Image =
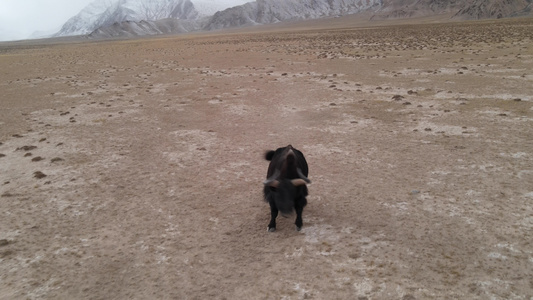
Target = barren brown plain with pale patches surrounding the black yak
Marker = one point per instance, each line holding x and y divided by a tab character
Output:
133	169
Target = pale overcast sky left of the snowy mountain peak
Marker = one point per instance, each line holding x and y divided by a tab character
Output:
21	18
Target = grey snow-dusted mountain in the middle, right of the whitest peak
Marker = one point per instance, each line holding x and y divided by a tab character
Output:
273	11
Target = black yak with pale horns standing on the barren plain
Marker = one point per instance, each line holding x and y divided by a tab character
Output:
285	188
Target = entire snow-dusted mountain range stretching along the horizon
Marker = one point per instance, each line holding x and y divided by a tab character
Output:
122	19
